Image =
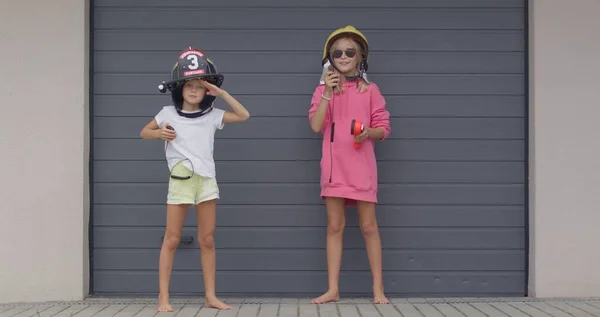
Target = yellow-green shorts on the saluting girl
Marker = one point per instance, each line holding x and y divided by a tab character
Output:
191	191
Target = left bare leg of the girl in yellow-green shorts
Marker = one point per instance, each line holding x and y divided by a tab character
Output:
175	218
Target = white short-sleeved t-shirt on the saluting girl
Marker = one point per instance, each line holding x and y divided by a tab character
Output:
194	140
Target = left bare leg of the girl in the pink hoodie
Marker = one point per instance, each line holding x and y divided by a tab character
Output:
336	221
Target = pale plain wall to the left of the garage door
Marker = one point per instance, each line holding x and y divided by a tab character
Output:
44	146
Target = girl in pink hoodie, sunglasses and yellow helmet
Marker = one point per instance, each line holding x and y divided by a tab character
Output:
349	173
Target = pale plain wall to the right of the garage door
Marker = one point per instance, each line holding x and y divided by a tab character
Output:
565	148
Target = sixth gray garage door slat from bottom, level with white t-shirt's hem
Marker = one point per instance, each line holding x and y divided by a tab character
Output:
309	171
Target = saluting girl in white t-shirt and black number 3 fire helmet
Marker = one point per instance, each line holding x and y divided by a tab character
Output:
188	128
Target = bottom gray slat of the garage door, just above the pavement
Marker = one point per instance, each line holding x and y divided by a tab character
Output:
411	284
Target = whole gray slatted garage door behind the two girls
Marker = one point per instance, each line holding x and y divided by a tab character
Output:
452	213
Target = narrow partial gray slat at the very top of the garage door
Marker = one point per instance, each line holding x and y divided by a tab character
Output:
337	4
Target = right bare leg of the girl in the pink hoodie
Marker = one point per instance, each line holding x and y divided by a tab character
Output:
370	231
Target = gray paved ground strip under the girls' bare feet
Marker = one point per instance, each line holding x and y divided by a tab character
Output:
284	307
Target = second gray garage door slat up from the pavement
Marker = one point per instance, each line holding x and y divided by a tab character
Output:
315	260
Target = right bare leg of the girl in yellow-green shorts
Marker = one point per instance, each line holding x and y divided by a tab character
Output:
206	215
